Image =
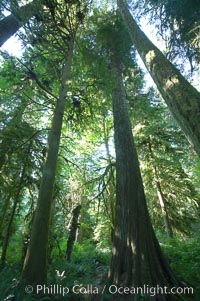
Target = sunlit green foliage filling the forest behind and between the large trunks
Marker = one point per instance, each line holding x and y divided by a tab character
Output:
85	173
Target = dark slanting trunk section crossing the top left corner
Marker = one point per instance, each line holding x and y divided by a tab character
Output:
12	23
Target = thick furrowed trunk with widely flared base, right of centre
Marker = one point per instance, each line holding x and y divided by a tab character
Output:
137	259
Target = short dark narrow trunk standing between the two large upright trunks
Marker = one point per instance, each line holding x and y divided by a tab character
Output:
73	231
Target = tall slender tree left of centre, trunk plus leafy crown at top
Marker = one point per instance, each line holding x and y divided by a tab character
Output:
35	265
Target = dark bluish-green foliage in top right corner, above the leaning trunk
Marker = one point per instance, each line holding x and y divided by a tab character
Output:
181	21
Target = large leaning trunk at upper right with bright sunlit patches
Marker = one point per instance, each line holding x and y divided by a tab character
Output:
182	99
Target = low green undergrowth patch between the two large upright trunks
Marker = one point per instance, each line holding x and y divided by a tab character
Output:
82	267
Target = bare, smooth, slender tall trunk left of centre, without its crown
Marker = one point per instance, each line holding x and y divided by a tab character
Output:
35	264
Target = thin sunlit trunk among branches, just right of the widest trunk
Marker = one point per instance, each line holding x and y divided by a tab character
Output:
160	194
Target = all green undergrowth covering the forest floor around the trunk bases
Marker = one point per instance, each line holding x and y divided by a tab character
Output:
183	255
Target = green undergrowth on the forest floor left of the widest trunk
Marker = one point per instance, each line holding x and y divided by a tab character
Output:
82	270
